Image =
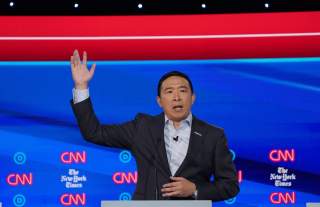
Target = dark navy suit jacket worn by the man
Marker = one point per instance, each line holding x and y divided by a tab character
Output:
207	154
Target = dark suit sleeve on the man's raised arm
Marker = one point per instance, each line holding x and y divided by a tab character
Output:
120	136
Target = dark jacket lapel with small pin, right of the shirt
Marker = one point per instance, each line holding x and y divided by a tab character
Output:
195	144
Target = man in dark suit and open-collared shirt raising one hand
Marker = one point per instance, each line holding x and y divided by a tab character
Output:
176	153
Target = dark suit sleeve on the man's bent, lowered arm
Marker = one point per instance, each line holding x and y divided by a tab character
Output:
225	184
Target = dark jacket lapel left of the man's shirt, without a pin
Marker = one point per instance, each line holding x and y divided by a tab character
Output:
157	131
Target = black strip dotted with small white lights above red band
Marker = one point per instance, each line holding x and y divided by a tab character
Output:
130	7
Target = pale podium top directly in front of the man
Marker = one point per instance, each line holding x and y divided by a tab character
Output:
159	203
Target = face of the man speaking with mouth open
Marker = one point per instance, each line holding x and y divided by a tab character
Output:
176	98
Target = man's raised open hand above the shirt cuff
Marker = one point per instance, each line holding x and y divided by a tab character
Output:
80	73
